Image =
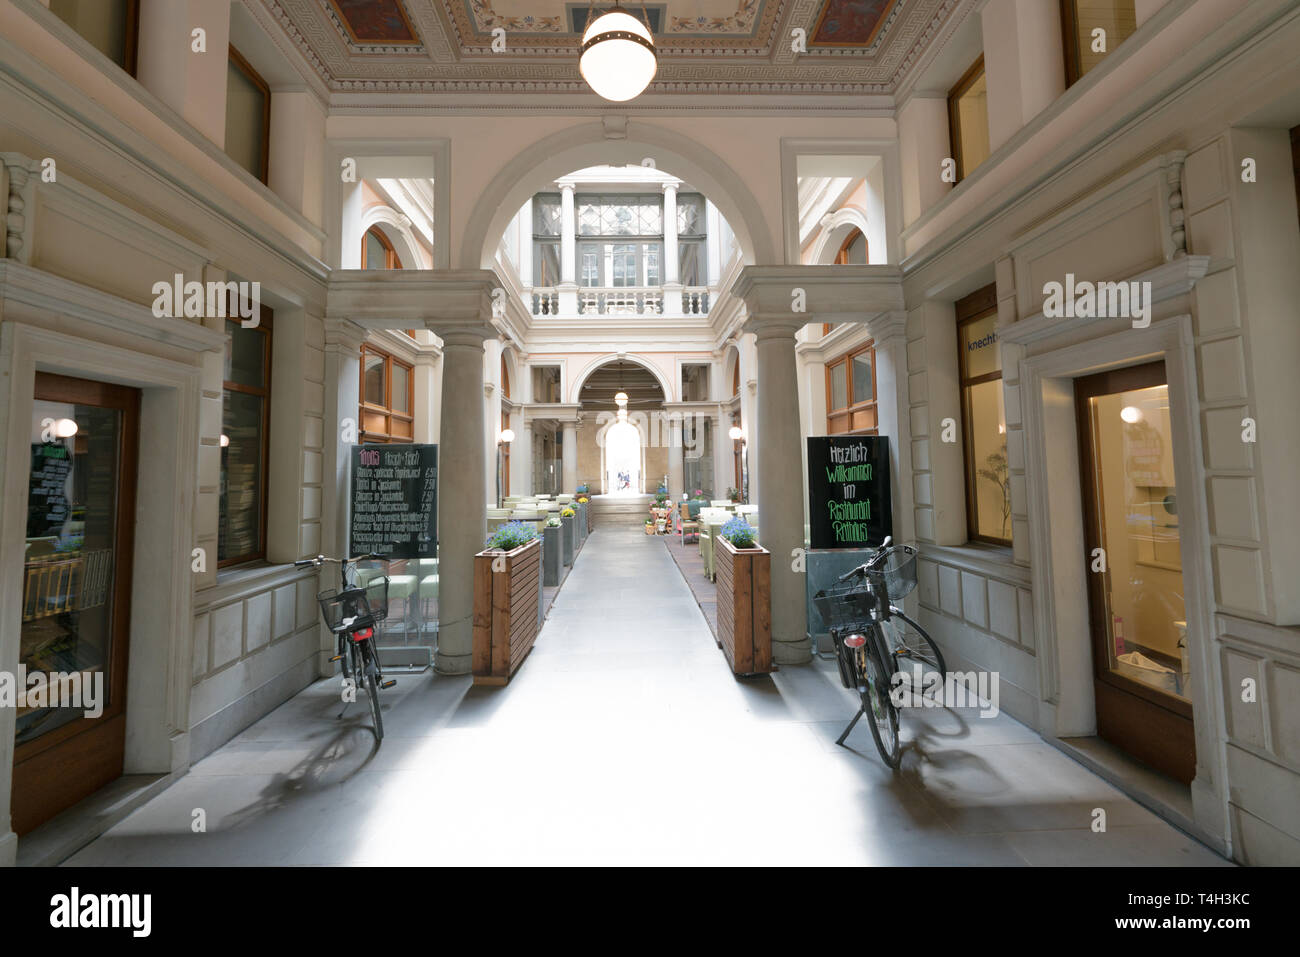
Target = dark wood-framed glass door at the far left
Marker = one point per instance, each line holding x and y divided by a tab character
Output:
76	596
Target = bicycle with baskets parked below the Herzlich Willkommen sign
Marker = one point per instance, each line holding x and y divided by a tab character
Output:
872	638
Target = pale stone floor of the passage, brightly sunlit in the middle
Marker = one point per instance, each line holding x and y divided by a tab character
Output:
625	739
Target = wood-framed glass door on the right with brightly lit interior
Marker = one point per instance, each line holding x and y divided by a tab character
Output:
1139	631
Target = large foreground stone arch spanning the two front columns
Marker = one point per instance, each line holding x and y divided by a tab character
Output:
587	146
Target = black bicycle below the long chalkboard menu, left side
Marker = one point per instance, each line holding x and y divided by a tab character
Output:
353	613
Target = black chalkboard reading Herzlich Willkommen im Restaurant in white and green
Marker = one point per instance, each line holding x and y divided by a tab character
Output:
848	492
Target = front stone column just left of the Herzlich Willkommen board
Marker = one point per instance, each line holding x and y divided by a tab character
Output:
779	466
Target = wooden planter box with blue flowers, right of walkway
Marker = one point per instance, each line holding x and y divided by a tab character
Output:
744	607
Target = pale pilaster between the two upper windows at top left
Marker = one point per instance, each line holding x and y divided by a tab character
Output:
192	84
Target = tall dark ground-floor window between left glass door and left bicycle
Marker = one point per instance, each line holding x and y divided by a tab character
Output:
245	443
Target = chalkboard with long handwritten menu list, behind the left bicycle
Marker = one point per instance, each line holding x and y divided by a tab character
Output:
395	501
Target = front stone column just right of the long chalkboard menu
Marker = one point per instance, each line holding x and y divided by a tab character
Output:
462	510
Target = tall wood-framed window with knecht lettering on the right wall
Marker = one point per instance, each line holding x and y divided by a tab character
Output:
989	492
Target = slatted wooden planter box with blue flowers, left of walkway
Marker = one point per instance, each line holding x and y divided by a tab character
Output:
508	612
